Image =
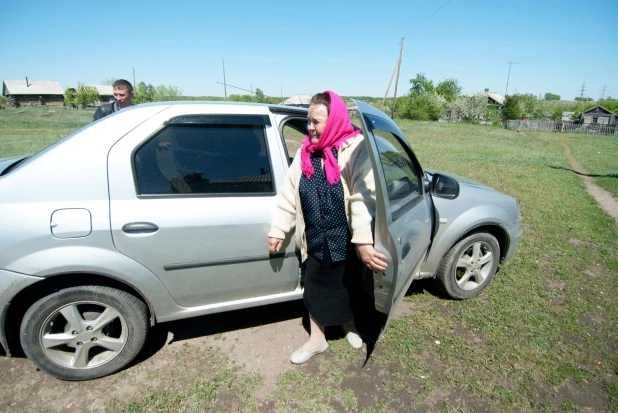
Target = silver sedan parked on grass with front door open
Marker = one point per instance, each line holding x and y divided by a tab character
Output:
161	212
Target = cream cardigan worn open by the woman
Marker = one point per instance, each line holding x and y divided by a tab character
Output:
358	190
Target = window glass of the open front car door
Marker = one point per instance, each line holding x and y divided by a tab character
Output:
402	173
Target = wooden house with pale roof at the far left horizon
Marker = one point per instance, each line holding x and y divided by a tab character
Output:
32	93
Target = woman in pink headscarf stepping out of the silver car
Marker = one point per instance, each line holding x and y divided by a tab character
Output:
328	196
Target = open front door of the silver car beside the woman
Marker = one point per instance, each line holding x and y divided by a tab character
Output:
404	214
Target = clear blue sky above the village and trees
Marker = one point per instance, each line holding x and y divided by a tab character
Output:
289	47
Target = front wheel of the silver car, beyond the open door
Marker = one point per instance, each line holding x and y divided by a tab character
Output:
469	266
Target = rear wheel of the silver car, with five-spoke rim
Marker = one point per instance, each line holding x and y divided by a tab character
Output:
82	333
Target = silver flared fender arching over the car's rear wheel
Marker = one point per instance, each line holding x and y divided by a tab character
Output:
100	261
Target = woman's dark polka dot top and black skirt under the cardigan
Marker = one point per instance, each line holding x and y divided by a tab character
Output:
331	255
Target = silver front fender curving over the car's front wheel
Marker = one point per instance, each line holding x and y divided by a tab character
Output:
450	231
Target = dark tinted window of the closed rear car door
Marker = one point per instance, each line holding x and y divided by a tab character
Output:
192	158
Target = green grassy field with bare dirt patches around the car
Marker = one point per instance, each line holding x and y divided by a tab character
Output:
542	337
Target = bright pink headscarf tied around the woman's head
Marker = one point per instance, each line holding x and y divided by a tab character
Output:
338	129
